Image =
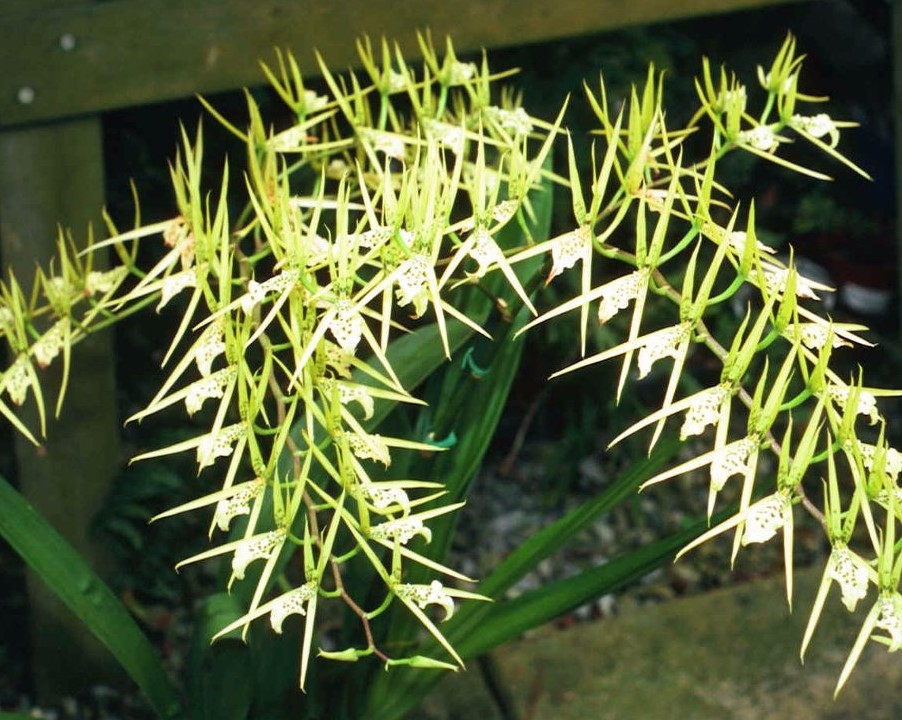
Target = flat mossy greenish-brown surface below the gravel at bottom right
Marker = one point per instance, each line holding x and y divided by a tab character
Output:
731	653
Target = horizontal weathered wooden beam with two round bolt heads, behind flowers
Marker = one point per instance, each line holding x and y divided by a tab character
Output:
85	58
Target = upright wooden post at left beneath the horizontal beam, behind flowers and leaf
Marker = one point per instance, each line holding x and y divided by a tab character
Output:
48	175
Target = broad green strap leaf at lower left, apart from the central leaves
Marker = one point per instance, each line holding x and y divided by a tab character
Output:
66	573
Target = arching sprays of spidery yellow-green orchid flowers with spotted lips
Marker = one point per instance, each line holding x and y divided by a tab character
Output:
387	196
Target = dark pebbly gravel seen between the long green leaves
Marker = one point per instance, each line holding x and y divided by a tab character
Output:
506	508
